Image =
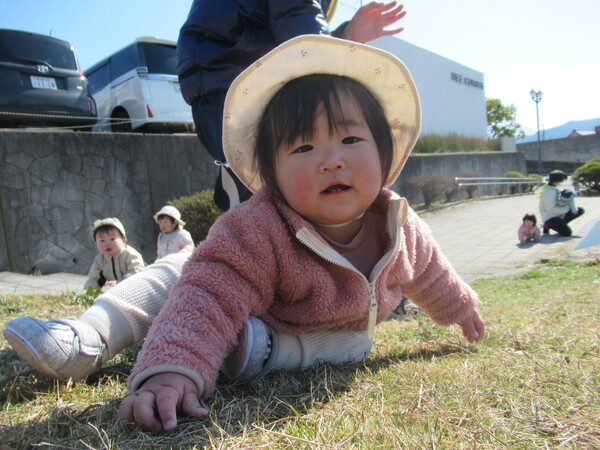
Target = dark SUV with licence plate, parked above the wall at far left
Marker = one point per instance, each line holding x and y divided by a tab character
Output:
41	83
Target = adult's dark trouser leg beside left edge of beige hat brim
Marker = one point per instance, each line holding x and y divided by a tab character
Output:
208	117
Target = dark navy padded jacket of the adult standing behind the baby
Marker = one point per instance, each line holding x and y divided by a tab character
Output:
221	38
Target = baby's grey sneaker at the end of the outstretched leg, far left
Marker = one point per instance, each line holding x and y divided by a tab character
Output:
66	348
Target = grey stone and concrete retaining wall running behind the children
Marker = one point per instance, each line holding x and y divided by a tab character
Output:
53	185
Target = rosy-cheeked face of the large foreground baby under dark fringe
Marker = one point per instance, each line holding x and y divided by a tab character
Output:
334	176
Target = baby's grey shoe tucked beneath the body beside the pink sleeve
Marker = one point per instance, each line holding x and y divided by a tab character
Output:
250	358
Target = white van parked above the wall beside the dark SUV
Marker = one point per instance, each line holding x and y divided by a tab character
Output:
137	89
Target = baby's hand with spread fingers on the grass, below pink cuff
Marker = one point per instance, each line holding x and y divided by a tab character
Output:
156	404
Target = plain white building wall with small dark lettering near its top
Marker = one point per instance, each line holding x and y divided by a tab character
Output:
452	95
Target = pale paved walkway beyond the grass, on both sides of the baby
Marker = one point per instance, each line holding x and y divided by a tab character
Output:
478	237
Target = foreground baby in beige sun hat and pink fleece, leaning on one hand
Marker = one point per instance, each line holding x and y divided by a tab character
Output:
304	270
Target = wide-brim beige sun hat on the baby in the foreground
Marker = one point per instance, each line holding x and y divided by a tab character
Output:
382	73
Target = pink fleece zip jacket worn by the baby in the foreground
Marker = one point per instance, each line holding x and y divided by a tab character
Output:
263	259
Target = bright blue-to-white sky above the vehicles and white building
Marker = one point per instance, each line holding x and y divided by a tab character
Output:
517	44
